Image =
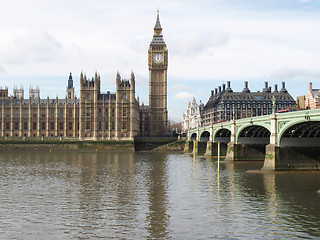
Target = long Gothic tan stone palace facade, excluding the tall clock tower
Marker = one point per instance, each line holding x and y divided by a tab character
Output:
93	116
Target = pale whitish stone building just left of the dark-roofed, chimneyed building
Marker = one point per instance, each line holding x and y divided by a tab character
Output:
192	118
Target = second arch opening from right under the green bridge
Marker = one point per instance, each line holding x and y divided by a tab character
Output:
253	134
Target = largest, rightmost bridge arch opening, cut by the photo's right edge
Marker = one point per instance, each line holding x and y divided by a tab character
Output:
301	133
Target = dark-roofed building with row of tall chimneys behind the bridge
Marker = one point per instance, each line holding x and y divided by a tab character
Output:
224	104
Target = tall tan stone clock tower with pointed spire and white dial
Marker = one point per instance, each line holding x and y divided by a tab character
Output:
158	65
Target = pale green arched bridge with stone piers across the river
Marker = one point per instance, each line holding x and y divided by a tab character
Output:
283	140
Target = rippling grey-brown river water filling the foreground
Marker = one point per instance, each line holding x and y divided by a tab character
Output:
151	195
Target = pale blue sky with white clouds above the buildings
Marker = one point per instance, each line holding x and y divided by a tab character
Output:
209	43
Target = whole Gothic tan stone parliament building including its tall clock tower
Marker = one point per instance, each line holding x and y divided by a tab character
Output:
94	115
